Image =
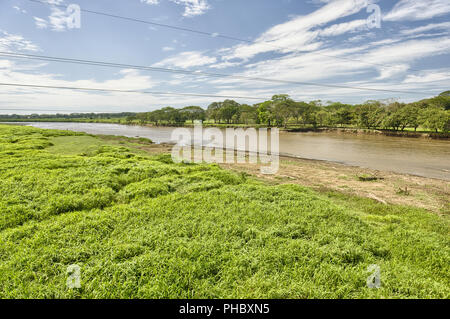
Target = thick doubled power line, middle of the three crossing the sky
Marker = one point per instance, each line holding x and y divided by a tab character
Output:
196	73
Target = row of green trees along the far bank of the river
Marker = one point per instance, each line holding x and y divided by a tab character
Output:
430	114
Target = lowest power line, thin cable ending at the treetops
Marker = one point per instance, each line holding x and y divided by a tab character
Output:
129	91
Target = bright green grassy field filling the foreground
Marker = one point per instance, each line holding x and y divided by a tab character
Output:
140	226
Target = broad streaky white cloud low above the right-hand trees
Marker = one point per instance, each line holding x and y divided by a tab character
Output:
321	66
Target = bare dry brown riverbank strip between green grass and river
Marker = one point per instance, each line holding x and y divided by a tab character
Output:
328	178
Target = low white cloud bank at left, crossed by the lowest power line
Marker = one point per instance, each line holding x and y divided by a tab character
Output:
72	101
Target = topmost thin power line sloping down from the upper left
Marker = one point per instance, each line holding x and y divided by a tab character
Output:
213	34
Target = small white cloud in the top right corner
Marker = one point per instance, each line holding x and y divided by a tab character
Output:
417	10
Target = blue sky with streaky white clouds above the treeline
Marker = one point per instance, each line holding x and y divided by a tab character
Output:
401	45
